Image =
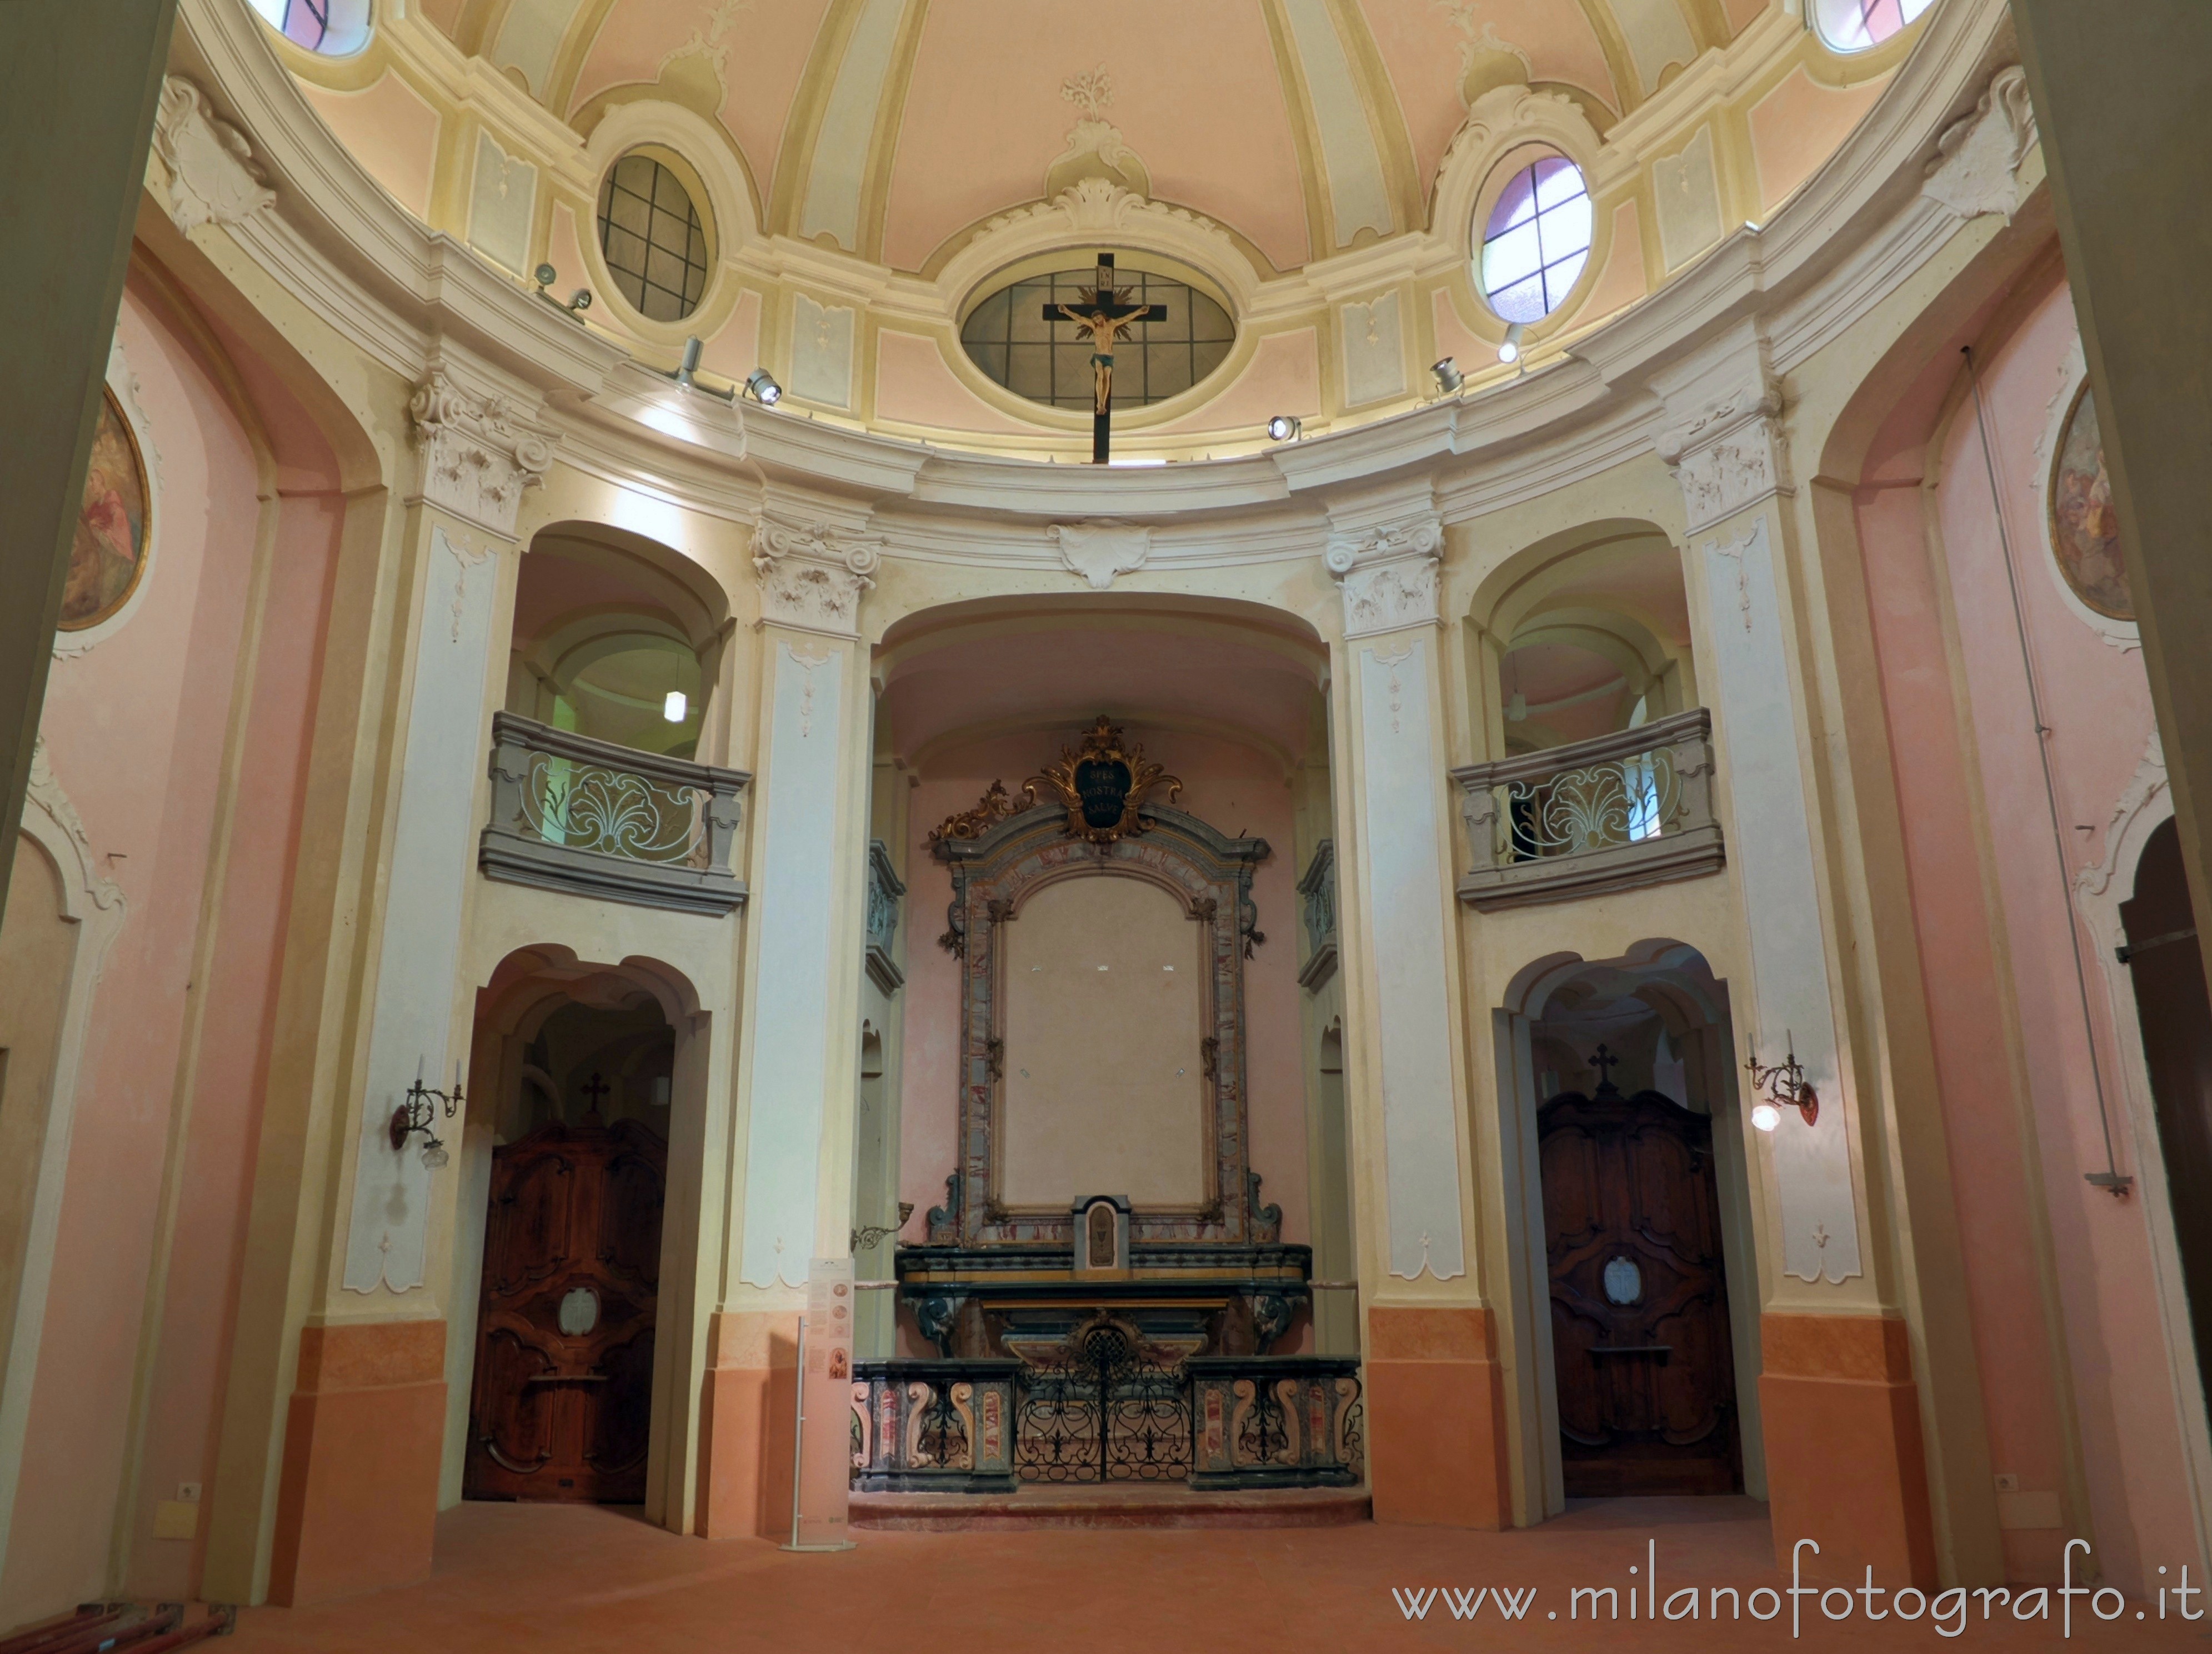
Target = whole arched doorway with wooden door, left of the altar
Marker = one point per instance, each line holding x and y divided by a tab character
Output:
570	1370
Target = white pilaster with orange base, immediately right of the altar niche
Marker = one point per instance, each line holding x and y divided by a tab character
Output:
1434	1390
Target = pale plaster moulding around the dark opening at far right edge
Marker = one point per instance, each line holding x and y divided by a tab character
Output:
2140	810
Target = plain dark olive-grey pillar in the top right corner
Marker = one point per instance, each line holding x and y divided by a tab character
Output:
2120	96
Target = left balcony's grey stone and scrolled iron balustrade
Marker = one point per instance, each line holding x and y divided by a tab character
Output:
625	826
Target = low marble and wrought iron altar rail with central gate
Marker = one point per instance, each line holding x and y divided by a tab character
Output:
1112	1412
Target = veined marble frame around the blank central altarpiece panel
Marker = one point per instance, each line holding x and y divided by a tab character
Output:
992	879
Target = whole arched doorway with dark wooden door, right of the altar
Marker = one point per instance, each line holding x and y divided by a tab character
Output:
1636	1228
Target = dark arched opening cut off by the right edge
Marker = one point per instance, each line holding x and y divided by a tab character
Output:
2167	972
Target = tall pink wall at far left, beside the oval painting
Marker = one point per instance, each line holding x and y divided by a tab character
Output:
136	733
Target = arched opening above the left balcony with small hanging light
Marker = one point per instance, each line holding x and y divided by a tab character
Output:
612	642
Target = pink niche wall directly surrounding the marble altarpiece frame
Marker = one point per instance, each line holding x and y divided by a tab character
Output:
1229	786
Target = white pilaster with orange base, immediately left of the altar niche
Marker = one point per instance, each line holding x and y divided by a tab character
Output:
797	1060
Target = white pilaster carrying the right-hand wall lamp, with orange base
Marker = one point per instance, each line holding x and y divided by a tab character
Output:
1839	1405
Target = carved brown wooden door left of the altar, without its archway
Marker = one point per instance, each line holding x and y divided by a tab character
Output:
563	1394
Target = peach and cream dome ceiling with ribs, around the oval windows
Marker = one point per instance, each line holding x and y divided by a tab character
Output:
868	167
